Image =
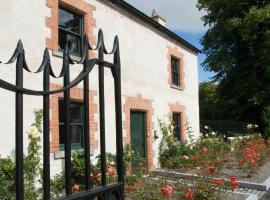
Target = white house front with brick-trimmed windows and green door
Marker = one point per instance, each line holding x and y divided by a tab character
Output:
159	72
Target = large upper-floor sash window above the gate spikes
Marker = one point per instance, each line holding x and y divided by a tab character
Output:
70	31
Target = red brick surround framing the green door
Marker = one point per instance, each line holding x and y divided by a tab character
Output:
145	105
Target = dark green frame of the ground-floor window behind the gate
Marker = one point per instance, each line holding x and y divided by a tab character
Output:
74	146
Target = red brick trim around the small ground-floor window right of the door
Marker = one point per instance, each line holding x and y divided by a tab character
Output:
180	109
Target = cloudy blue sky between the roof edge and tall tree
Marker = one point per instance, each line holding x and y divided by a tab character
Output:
183	18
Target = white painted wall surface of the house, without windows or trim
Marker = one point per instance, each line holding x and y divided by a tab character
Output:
144	68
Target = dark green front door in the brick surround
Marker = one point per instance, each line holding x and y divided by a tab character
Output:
137	127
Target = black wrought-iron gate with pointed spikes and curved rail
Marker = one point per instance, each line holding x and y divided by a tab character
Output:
115	190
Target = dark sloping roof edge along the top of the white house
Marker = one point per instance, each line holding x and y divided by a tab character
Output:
148	20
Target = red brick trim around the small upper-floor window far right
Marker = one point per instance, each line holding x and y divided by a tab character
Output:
173	52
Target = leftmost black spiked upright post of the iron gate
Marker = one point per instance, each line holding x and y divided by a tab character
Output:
19	127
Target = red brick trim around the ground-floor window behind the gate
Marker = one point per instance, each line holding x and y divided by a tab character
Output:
76	94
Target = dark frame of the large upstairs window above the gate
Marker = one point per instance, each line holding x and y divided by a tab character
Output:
80	35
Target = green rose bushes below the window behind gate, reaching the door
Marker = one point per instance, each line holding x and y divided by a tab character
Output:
78	171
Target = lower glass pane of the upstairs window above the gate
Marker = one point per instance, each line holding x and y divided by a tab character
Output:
74	42
